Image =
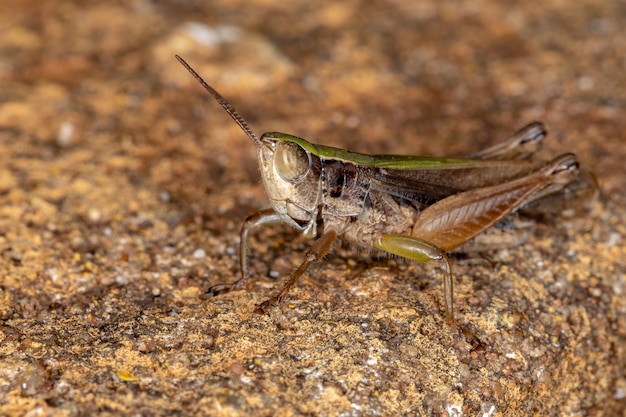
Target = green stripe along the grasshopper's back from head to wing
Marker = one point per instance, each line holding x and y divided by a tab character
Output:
376	161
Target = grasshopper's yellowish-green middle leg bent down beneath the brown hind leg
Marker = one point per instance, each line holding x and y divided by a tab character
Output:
419	250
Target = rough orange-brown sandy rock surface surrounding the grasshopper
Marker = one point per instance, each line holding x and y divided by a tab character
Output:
123	187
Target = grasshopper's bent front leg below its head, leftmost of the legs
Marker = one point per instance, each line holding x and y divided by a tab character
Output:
262	218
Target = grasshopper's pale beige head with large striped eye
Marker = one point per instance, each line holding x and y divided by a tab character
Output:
291	175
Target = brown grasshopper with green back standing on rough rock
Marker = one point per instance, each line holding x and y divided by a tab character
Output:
420	208
